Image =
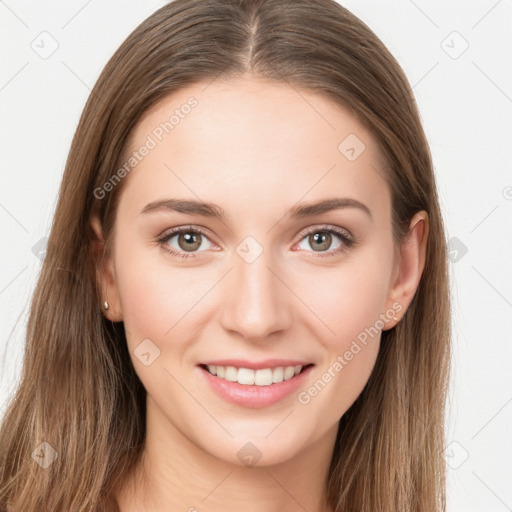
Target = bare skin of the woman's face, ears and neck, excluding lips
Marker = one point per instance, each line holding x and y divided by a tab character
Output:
256	148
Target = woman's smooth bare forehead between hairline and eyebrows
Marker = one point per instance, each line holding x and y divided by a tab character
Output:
249	143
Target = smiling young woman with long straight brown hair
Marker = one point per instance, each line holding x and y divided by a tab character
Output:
190	345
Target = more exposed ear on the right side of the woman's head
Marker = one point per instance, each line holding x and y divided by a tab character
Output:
408	268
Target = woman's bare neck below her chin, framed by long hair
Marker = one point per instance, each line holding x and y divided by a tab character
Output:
176	474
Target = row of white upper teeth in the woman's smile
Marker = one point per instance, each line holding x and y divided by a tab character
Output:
248	377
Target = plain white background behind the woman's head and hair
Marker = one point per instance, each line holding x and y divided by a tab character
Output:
465	100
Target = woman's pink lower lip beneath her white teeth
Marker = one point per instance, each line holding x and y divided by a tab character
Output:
254	396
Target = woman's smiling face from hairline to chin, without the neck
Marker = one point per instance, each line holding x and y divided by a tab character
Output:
283	301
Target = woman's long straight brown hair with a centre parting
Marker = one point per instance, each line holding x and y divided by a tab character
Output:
79	392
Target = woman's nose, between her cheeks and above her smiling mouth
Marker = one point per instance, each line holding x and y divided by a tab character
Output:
255	302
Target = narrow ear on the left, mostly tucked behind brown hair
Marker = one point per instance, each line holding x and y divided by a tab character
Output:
105	275
